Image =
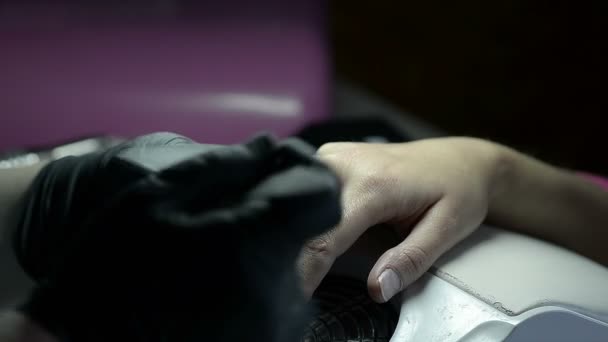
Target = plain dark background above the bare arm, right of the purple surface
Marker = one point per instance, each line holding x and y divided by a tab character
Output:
527	73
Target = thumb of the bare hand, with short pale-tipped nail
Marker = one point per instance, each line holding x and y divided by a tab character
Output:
401	265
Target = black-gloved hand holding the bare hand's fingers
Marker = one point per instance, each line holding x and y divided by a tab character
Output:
163	239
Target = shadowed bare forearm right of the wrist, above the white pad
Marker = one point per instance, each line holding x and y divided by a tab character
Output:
550	203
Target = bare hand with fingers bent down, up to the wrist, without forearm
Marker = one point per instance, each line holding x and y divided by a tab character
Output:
432	192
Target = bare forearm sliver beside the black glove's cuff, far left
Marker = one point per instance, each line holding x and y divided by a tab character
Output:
13	186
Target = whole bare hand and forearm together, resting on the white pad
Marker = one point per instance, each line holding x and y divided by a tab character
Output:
435	192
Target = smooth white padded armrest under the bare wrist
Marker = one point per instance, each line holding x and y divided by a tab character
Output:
516	273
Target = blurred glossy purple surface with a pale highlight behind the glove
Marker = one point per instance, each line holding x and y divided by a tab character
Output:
215	73
